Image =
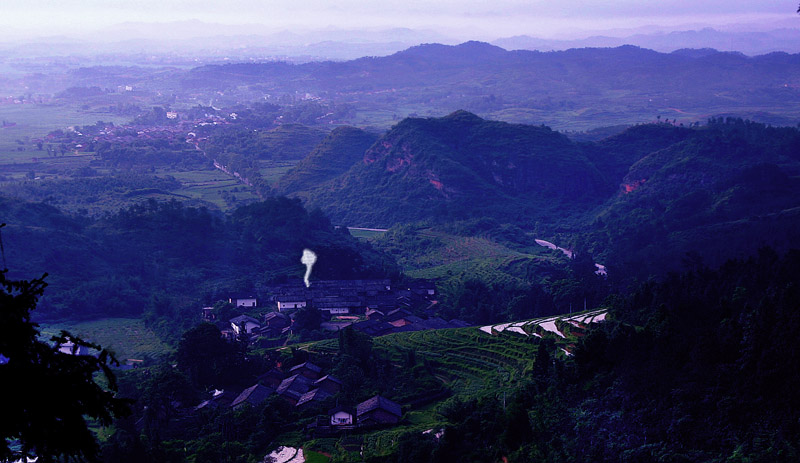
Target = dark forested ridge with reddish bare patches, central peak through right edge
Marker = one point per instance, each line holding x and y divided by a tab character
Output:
718	190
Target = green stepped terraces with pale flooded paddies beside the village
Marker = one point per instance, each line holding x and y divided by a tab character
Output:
472	363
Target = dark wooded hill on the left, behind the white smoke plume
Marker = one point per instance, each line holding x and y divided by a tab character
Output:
169	259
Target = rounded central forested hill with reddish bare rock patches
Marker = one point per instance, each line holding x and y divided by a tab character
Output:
461	166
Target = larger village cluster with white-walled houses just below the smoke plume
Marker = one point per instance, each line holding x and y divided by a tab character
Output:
375	307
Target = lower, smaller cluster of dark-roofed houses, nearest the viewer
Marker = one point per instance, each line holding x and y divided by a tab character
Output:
303	386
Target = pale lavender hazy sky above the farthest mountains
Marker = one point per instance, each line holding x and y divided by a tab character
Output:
481	18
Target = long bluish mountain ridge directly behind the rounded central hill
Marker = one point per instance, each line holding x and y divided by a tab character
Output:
577	88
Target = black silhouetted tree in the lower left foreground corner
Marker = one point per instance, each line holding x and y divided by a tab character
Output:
46	393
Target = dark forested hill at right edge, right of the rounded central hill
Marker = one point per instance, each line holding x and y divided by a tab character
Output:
731	187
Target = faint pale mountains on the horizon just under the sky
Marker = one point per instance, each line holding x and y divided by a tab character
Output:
255	41
